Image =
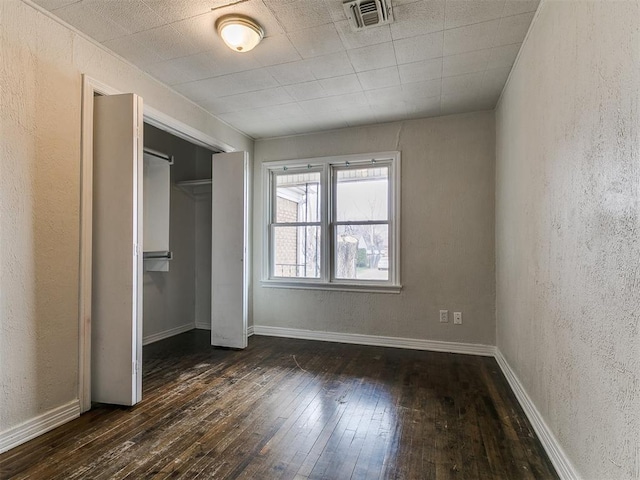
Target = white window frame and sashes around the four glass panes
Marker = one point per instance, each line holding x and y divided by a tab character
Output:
328	166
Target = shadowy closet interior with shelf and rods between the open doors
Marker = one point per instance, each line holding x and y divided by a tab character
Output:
177	235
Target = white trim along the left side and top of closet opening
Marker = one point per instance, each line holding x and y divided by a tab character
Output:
156	118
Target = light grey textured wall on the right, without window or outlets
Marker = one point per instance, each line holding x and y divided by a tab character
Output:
568	225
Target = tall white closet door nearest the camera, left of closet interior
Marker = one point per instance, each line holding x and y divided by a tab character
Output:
116	317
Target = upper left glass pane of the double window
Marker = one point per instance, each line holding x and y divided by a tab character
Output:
297	197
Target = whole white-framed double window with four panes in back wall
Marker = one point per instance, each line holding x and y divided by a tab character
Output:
333	222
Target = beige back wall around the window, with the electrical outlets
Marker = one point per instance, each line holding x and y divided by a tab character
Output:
447	245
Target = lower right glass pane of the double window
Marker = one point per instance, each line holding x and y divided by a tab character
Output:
362	252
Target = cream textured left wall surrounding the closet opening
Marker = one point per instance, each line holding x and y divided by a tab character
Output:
42	63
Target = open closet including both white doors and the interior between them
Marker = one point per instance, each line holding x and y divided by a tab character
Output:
185	268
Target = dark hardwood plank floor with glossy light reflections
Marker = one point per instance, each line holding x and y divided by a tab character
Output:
297	409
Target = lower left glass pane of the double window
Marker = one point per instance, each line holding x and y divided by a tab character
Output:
296	252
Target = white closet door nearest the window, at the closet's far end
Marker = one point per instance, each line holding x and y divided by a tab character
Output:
229	239
